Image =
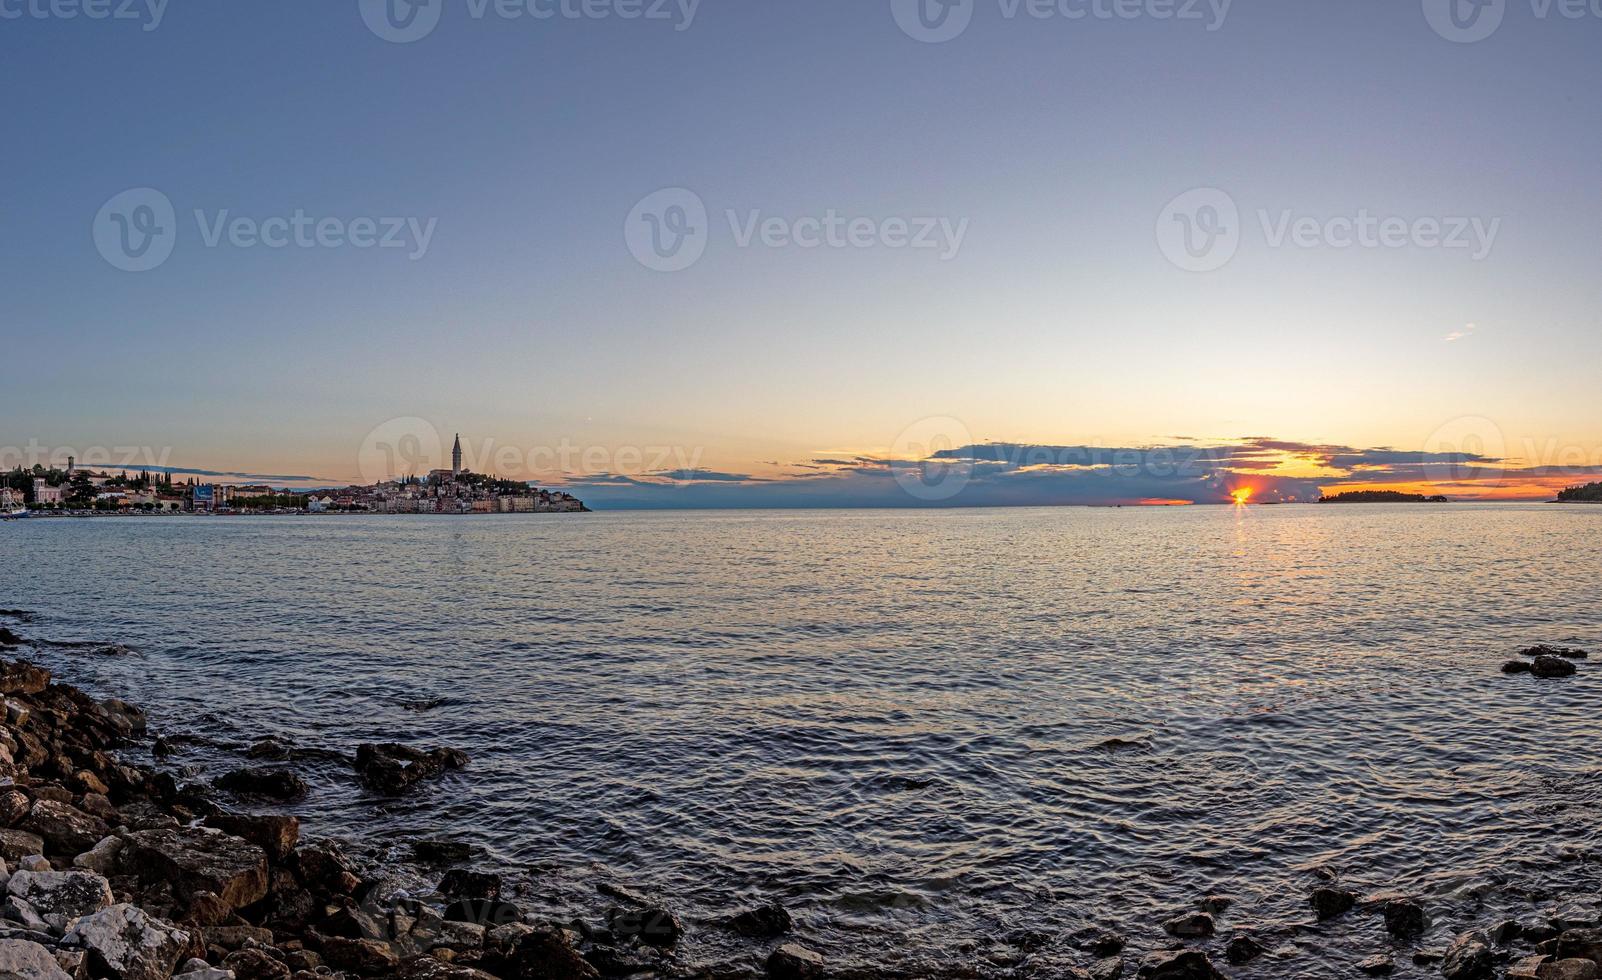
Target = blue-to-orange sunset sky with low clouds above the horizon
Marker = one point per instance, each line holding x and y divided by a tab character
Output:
824	254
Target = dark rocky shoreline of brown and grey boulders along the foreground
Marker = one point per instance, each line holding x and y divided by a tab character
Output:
115	869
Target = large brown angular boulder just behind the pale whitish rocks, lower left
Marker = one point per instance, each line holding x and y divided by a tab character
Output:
201	861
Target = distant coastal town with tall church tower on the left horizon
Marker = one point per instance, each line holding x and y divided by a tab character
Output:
78	492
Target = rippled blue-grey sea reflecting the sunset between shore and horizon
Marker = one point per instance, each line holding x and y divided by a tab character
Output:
943	739
